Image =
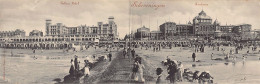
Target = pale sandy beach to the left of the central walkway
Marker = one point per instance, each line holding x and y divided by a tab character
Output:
41	67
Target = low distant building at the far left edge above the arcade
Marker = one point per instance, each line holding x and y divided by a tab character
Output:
16	33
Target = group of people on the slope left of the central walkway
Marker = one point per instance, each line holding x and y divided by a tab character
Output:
79	71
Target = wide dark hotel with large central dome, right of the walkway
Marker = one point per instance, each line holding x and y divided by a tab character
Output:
202	26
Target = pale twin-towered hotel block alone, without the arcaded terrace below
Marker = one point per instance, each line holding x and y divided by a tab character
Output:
104	31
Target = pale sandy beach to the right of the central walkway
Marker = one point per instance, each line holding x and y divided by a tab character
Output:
223	71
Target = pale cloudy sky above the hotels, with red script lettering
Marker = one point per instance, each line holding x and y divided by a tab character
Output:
31	14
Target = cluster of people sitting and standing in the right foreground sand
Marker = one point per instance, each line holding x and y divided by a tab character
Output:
177	73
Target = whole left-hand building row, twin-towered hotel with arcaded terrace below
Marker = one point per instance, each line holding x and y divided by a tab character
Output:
60	36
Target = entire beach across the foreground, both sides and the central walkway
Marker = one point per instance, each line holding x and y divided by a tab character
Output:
55	64
